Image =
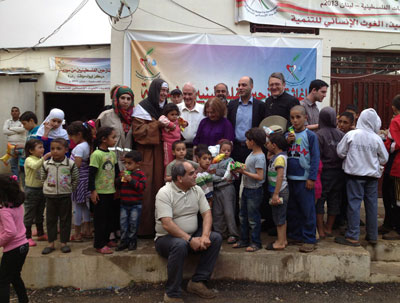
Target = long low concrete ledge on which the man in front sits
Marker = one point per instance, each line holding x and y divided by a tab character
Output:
85	269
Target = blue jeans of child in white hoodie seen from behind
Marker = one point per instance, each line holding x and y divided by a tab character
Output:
359	189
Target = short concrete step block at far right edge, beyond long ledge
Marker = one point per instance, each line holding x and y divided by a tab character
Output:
385	251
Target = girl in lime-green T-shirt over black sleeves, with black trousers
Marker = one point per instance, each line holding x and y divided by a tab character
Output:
102	173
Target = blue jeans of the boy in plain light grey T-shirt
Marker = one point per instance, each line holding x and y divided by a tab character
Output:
250	218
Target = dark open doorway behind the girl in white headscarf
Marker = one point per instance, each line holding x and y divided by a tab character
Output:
76	106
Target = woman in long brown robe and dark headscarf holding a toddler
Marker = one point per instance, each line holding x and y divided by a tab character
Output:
147	134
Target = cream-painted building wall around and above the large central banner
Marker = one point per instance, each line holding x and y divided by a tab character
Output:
222	12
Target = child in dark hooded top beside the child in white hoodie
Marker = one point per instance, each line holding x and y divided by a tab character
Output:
332	176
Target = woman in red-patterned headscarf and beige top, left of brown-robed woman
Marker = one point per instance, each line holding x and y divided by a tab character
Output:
120	118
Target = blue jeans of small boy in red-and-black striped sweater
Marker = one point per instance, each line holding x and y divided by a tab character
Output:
129	219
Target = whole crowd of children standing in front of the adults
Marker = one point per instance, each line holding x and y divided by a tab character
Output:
347	147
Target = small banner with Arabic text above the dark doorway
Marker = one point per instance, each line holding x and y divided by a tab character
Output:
83	73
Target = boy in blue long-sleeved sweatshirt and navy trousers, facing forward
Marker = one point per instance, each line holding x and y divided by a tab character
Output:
303	162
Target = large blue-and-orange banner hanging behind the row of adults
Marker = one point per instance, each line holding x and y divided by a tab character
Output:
206	60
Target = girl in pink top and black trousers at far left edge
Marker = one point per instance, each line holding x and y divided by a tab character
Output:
12	239
